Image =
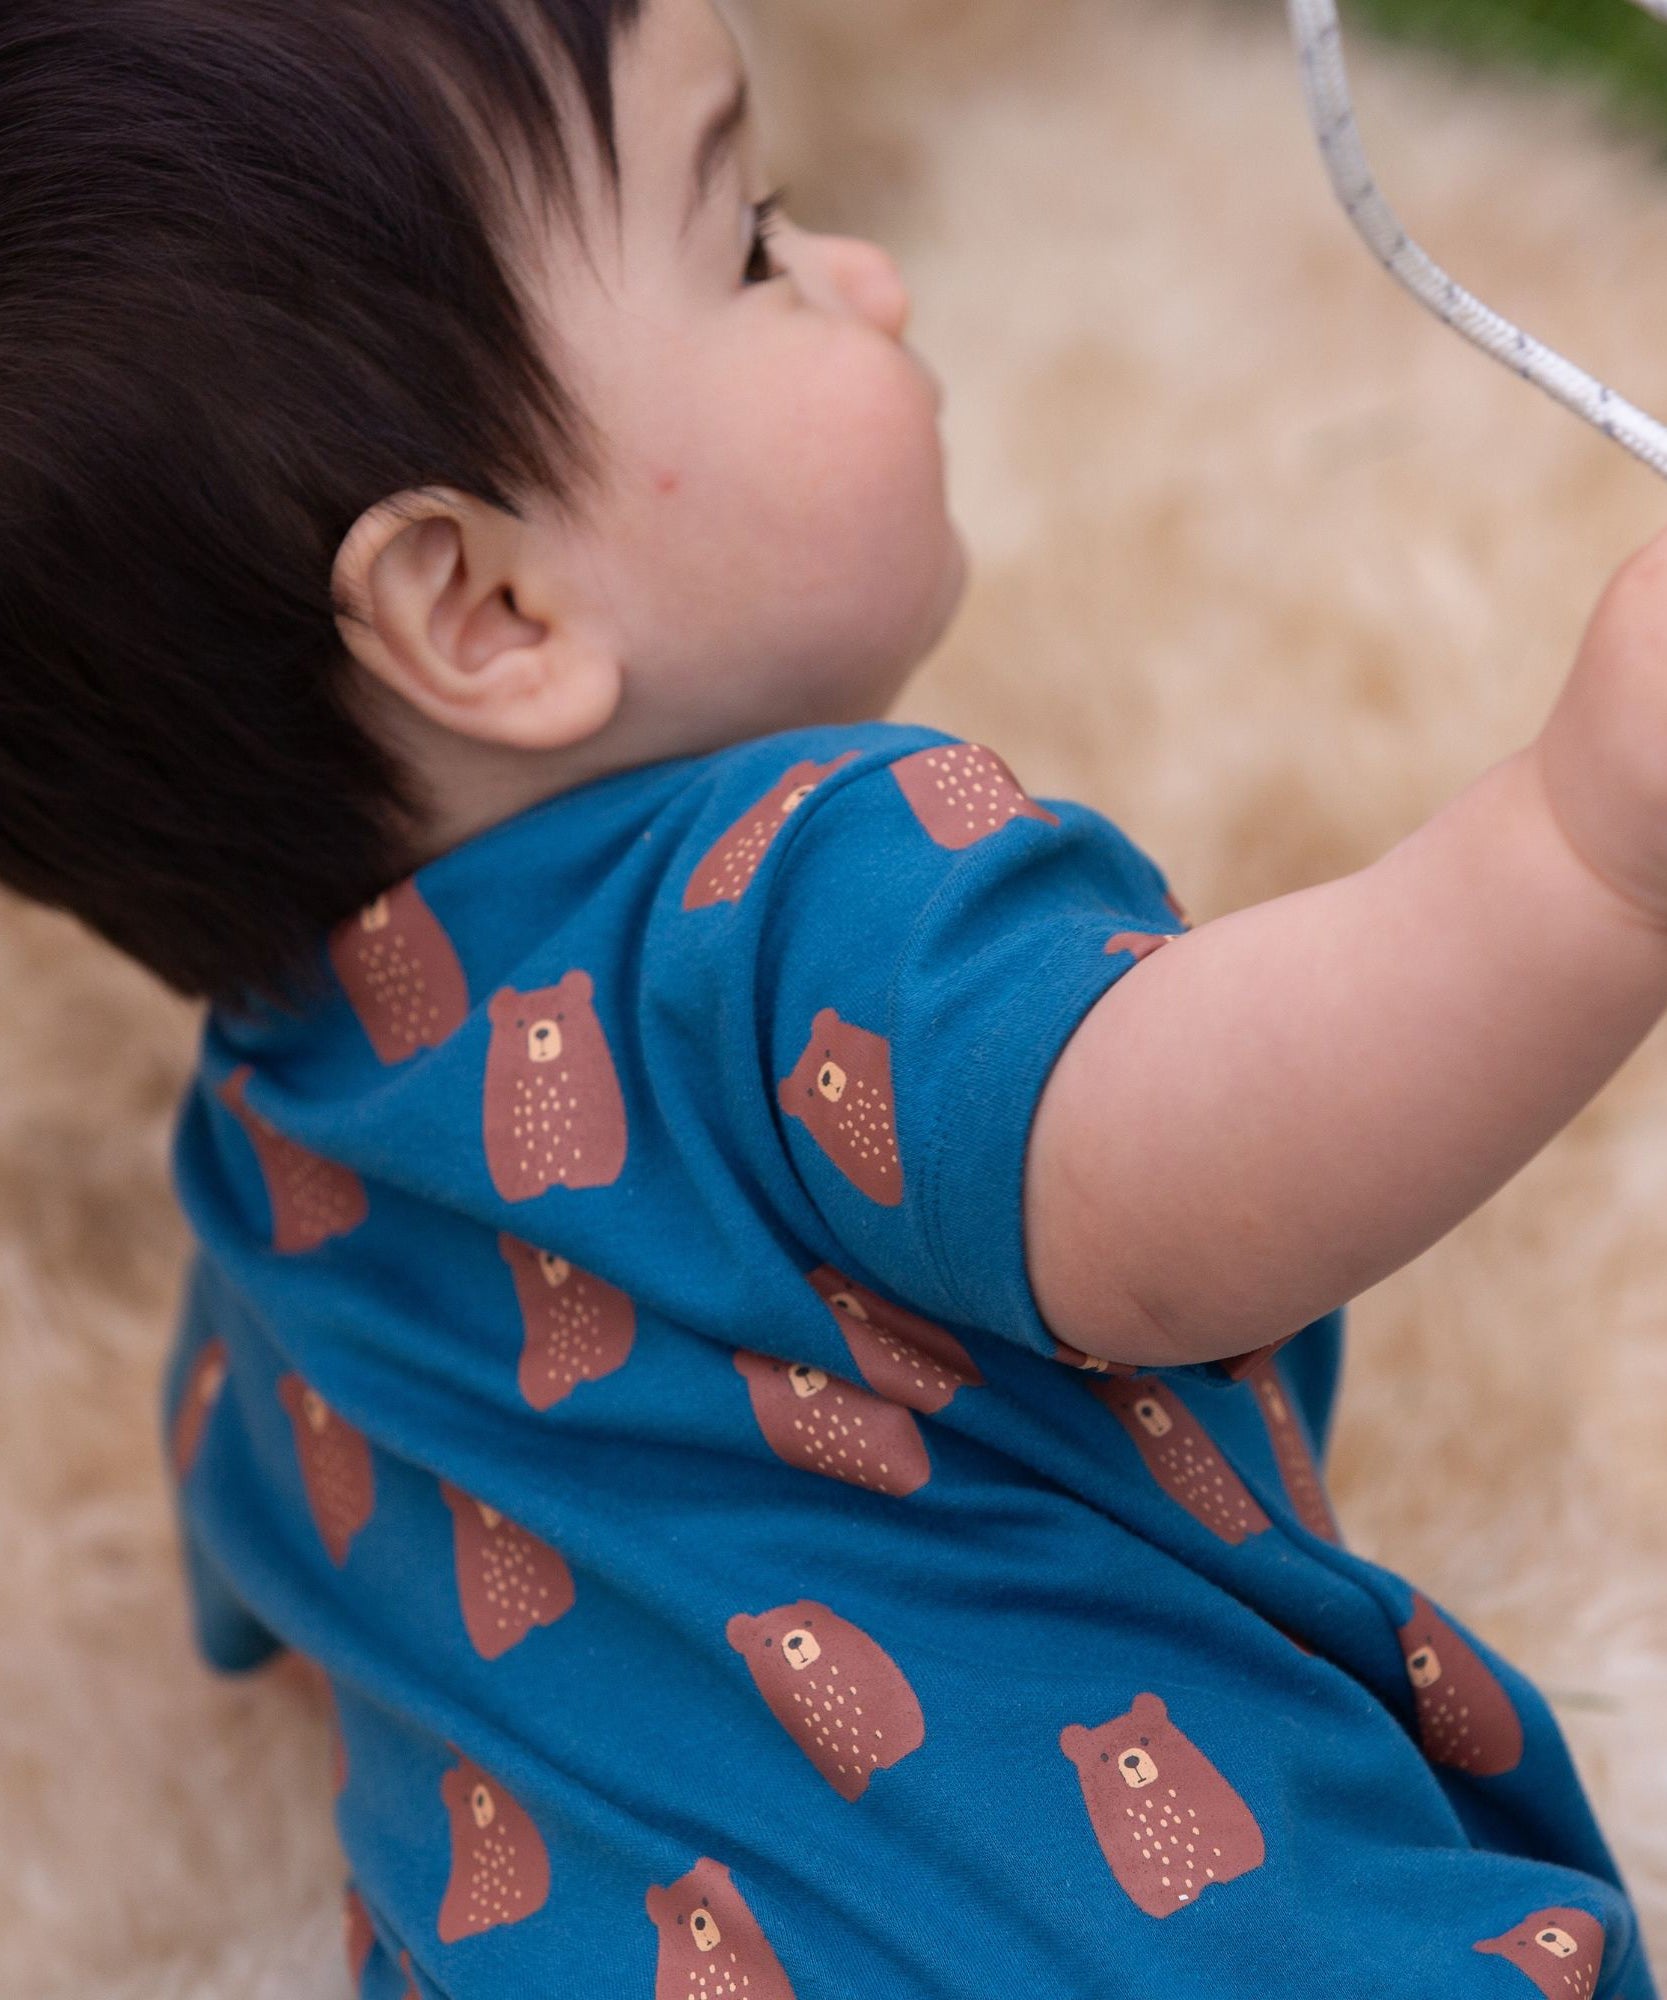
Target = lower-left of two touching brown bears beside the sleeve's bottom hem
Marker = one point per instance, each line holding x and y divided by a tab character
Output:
819	1423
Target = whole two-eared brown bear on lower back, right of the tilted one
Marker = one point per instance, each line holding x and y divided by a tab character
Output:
1168	1823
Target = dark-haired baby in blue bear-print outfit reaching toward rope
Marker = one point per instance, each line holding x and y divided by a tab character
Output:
765	1311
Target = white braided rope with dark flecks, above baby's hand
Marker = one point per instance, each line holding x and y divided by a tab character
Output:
1332	111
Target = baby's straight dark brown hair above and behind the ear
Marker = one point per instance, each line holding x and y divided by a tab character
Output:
253	283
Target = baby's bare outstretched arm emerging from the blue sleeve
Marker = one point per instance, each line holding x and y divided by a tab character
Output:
1286	1107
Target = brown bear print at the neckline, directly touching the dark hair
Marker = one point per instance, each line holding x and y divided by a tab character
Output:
403	975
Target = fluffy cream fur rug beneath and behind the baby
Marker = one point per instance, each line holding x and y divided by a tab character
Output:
1268	569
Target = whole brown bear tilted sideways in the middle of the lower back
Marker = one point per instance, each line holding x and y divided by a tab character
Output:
840	1697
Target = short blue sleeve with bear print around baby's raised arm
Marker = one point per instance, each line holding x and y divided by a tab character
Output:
932	941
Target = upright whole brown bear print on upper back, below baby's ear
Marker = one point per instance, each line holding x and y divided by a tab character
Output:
555	1113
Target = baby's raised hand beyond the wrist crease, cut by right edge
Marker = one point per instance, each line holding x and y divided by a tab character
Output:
1604	753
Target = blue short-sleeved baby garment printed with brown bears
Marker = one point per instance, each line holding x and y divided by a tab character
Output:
611	1359
